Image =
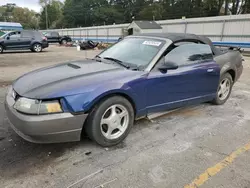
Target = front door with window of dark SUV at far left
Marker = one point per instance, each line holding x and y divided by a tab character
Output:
12	40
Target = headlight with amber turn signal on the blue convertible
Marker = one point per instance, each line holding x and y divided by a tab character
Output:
36	107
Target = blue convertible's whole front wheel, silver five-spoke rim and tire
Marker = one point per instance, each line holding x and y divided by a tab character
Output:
110	121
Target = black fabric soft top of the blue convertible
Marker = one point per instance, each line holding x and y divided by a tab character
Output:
178	37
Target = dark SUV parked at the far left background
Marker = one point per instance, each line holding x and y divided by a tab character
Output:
33	40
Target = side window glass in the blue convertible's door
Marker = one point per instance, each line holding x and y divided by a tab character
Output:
189	54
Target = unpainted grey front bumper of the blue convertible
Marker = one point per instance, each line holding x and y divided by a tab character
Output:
53	128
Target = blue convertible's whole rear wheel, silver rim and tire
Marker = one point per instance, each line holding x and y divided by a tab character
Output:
224	89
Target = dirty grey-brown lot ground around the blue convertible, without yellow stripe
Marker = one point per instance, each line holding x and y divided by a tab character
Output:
170	151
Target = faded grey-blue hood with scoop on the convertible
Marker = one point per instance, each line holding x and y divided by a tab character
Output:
68	79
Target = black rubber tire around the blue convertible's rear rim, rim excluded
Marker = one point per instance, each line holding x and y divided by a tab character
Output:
218	99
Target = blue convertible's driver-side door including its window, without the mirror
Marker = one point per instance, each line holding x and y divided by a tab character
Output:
195	80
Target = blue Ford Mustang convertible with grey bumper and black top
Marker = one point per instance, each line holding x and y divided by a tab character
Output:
137	77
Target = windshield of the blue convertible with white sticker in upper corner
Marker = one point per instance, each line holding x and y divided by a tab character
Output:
134	51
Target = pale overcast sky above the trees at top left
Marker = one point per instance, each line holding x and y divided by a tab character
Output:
31	4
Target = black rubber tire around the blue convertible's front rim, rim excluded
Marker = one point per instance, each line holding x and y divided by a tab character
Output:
93	123
